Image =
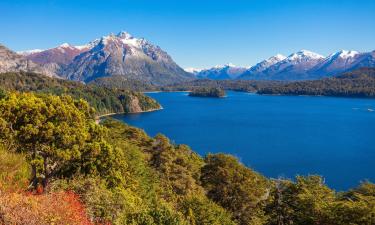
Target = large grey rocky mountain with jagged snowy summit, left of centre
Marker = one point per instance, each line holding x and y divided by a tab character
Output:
112	55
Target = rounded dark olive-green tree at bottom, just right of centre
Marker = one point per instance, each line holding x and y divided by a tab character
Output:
235	187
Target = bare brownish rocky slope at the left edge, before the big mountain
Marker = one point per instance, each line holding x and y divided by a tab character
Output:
13	62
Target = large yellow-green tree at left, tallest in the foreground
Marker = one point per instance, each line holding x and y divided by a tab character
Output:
58	135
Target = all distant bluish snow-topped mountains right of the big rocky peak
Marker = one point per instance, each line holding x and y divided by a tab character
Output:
302	65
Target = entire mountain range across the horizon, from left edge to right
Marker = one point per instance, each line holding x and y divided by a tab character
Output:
121	55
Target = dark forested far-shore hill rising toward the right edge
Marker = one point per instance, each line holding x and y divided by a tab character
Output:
358	83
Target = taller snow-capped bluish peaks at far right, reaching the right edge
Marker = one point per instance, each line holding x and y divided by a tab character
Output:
309	65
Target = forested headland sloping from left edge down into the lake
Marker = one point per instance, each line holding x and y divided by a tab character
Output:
104	100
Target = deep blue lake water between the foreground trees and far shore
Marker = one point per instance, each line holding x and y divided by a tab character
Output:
279	136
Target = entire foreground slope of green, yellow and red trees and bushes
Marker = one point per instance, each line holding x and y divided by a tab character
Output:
51	146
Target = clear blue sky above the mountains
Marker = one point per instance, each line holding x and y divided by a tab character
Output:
196	33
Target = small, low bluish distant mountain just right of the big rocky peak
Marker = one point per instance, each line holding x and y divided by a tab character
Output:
228	71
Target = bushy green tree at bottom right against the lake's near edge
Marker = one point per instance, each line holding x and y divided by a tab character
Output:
306	201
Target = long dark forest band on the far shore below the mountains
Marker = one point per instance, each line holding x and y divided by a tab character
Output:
358	83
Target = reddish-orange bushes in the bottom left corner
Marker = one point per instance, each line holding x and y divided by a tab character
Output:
54	208
